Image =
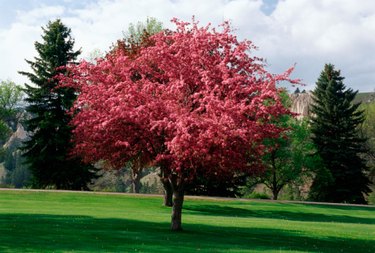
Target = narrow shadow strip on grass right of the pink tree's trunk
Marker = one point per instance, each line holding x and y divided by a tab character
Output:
217	210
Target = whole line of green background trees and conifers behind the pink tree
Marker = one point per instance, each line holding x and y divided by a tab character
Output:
302	157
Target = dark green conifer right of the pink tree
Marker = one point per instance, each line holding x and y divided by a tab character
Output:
334	126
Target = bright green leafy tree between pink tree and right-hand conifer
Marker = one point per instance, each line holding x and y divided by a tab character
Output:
291	158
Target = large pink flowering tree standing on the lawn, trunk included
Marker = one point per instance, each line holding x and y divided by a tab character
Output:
194	101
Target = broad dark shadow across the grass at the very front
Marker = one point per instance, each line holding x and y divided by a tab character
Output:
55	233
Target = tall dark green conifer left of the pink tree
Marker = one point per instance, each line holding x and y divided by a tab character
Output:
47	152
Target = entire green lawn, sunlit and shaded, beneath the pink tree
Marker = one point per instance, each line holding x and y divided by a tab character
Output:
81	222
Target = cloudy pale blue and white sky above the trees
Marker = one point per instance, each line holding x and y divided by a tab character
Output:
308	33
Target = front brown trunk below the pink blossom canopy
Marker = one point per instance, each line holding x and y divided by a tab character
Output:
178	200
